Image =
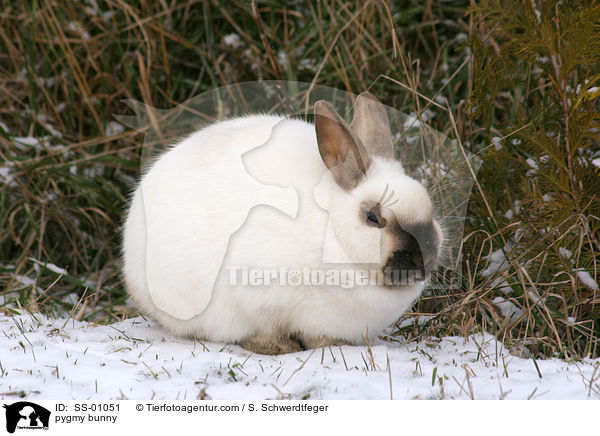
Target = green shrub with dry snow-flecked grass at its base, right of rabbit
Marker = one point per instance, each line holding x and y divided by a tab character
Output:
536	73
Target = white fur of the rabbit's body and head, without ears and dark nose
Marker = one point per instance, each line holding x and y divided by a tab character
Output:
267	239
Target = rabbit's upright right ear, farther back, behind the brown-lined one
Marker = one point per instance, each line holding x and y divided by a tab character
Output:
372	126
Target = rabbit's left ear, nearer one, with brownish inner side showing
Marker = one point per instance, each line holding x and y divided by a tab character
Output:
341	150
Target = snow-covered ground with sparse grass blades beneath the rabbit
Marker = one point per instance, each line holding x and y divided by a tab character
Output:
43	358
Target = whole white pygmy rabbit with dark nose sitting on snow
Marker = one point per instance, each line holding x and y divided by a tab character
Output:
350	192
